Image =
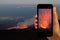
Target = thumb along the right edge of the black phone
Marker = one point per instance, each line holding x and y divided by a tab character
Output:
55	21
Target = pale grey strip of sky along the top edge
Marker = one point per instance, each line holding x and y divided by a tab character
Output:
28	1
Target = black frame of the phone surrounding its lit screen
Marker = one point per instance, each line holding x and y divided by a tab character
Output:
42	31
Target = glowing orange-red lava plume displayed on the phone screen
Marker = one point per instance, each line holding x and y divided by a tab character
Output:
45	18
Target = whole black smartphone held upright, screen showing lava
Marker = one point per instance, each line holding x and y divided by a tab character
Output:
45	19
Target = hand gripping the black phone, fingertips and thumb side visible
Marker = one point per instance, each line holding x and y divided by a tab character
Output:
56	29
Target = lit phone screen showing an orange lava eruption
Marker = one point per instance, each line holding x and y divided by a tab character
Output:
45	19
